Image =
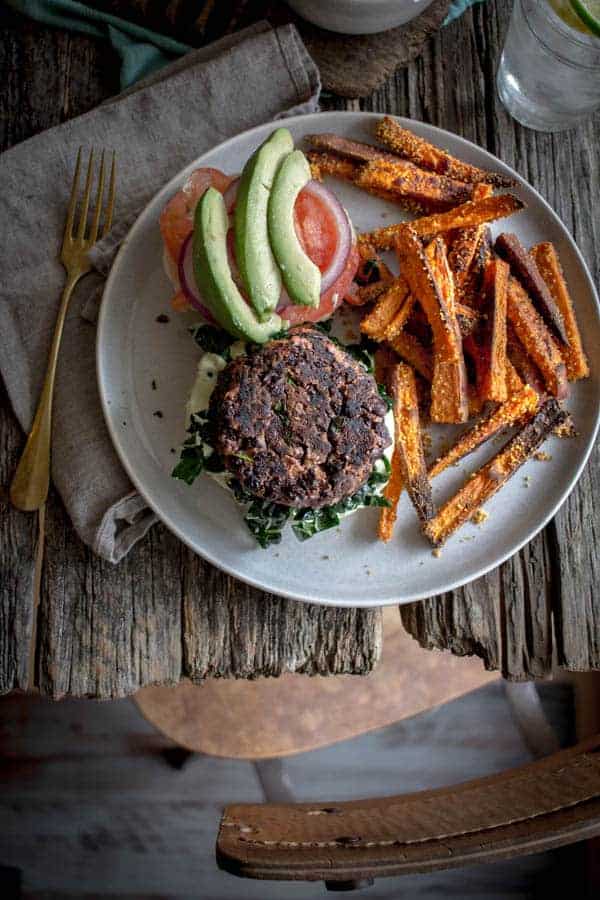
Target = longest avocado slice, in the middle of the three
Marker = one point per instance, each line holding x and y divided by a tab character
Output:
258	269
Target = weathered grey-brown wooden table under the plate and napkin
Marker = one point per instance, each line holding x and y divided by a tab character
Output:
163	613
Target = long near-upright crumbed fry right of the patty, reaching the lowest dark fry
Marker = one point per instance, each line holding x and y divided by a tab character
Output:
408	440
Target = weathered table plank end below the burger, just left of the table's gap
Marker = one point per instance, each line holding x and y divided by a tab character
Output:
233	629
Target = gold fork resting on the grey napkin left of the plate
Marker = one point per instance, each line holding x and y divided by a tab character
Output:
29	487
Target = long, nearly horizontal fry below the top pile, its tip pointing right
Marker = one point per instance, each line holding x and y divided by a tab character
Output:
467	215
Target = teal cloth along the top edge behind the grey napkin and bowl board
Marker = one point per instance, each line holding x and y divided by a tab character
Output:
141	51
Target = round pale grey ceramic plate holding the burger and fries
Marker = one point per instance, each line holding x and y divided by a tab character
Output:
146	367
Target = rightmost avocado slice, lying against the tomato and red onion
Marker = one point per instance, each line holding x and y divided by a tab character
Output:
301	276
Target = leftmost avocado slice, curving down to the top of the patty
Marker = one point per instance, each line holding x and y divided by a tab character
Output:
213	274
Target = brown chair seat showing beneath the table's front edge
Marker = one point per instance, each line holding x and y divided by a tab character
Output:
269	718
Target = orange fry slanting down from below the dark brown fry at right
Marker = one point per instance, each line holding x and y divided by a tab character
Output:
537	340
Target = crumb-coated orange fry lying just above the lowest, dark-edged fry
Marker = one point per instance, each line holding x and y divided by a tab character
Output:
514	410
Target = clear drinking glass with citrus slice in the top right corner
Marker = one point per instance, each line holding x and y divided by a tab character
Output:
549	74
